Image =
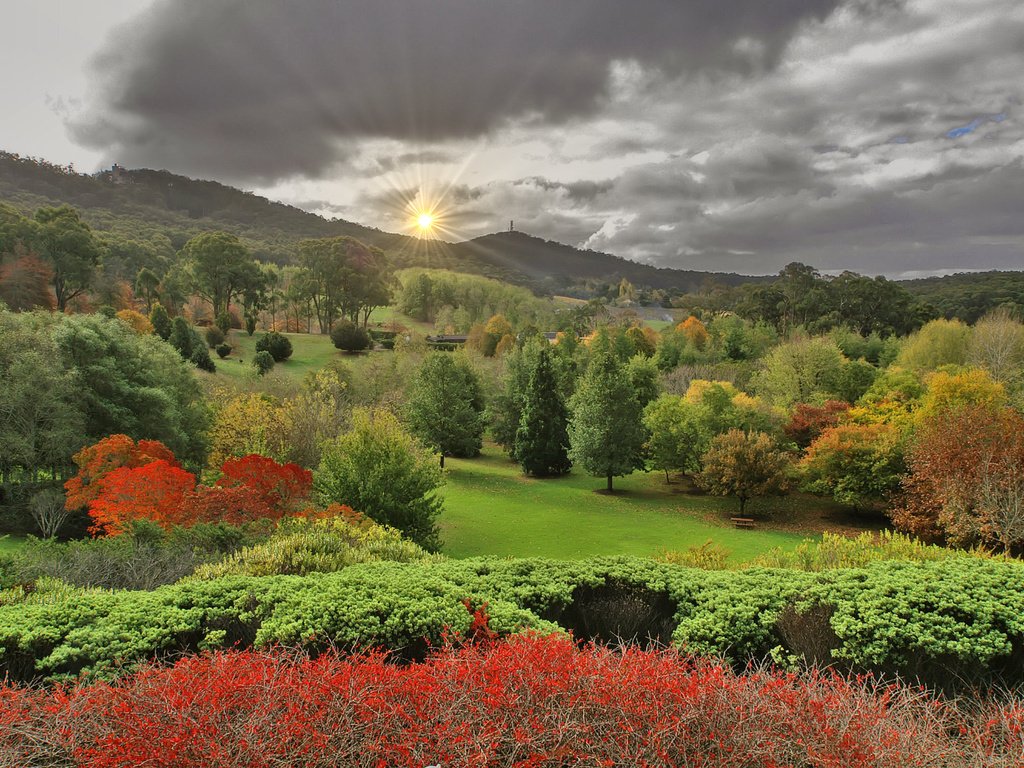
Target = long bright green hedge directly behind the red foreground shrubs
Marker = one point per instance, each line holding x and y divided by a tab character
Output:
947	622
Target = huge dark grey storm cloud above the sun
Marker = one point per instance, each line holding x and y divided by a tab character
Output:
254	90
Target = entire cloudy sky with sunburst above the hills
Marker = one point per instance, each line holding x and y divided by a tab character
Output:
884	137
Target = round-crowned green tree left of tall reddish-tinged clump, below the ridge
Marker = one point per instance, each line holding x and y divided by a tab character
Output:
221	268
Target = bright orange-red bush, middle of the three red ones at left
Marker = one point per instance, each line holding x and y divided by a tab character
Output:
153	492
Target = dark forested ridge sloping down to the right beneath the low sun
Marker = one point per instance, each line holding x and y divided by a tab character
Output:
139	204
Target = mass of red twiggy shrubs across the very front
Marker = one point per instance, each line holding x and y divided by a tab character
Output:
529	702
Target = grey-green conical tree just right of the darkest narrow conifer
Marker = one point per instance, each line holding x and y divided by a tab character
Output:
607	436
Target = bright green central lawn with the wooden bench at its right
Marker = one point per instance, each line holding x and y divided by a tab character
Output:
493	509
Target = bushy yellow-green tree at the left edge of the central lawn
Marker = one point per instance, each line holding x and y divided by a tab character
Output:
380	471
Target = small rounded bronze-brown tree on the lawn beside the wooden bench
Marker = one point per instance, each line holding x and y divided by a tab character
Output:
747	465
